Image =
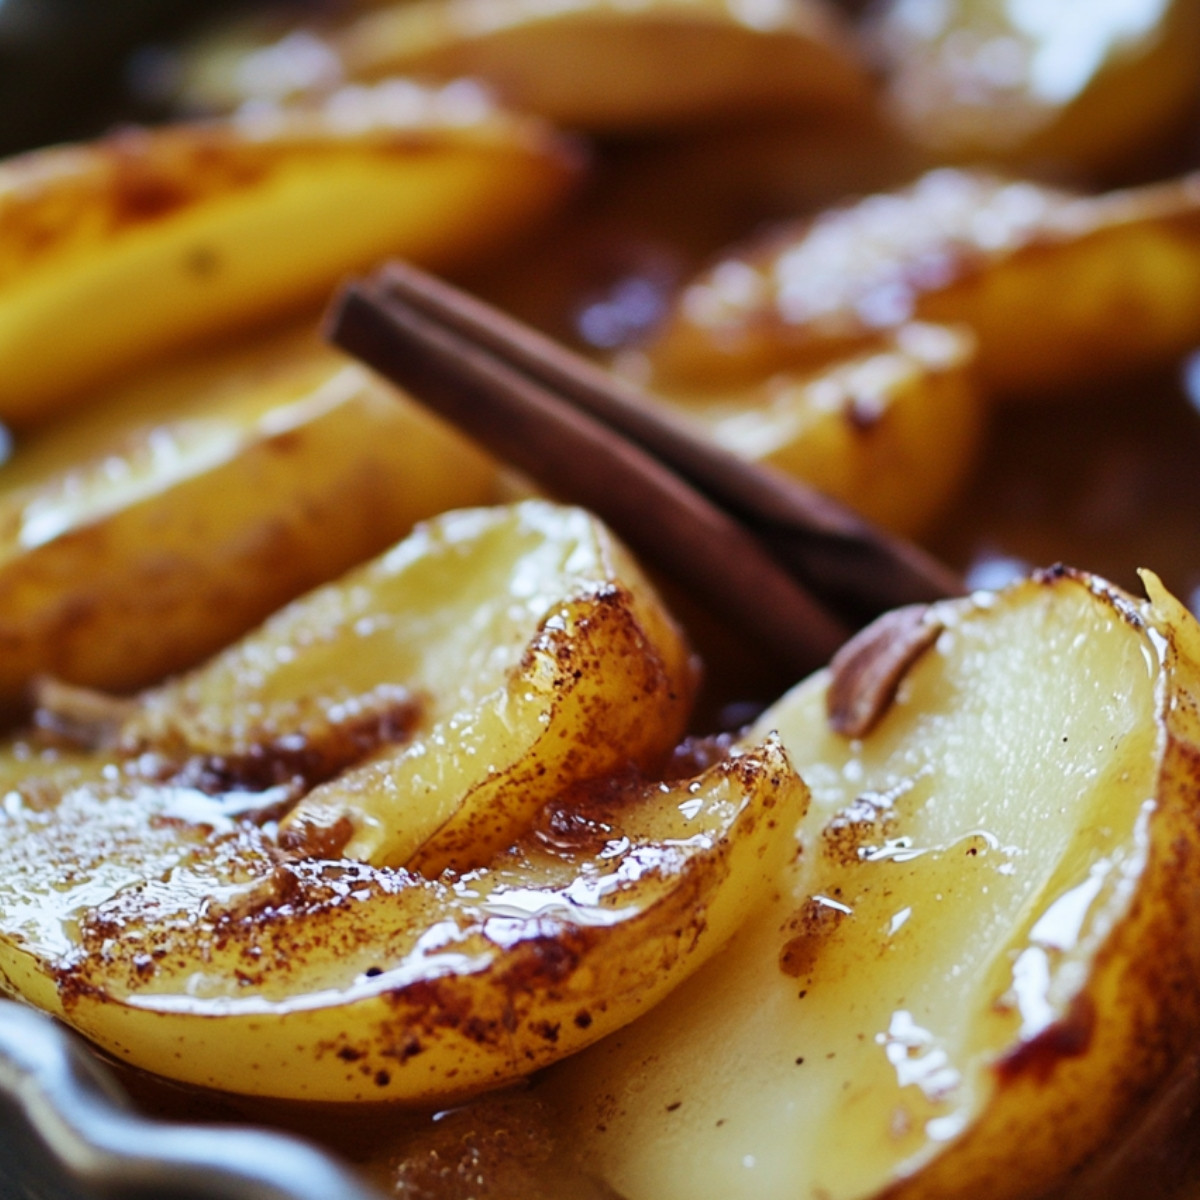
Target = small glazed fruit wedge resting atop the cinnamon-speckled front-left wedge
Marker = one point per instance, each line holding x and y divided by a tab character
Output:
434	700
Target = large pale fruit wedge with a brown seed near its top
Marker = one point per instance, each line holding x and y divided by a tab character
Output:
985	962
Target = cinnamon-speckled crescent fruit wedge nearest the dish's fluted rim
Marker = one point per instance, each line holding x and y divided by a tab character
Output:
166	926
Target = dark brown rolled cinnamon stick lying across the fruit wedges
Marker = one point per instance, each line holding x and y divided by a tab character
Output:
782	562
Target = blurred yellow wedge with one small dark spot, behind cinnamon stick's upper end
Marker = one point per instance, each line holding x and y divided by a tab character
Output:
123	250
